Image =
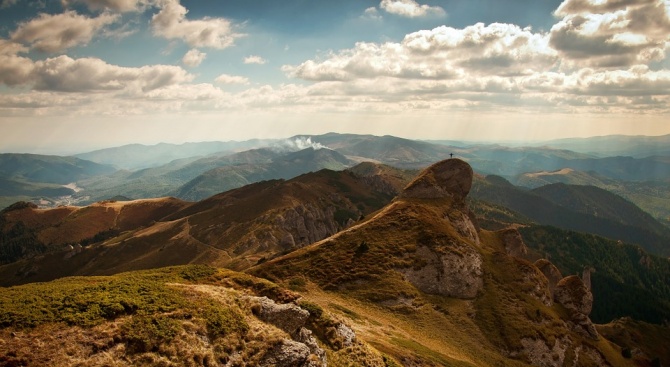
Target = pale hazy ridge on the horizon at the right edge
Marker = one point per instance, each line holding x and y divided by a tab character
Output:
616	145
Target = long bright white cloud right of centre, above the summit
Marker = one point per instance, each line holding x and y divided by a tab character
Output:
441	53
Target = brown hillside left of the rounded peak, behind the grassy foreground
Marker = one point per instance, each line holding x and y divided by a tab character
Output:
235	229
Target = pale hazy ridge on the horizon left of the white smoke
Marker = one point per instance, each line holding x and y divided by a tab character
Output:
138	156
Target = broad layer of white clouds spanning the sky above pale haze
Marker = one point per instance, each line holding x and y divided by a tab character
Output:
598	57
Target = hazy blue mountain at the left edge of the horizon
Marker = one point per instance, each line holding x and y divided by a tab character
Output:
49	169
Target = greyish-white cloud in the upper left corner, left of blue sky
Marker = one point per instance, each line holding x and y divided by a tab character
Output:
56	33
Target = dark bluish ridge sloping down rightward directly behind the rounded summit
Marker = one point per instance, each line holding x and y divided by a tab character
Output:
618	220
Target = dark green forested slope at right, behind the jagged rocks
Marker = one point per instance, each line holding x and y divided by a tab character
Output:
626	281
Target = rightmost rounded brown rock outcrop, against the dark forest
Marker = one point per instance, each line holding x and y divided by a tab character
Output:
572	293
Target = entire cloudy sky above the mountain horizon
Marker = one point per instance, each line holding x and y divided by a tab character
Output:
78	75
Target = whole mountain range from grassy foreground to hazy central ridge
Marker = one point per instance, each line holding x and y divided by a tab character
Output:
308	257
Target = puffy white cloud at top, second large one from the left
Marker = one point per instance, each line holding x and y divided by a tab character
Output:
171	23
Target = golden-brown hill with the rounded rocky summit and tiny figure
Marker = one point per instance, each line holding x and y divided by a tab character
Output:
453	295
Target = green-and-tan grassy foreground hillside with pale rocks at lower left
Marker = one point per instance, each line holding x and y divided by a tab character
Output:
180	316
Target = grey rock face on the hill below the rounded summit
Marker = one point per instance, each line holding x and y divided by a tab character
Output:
456	272
